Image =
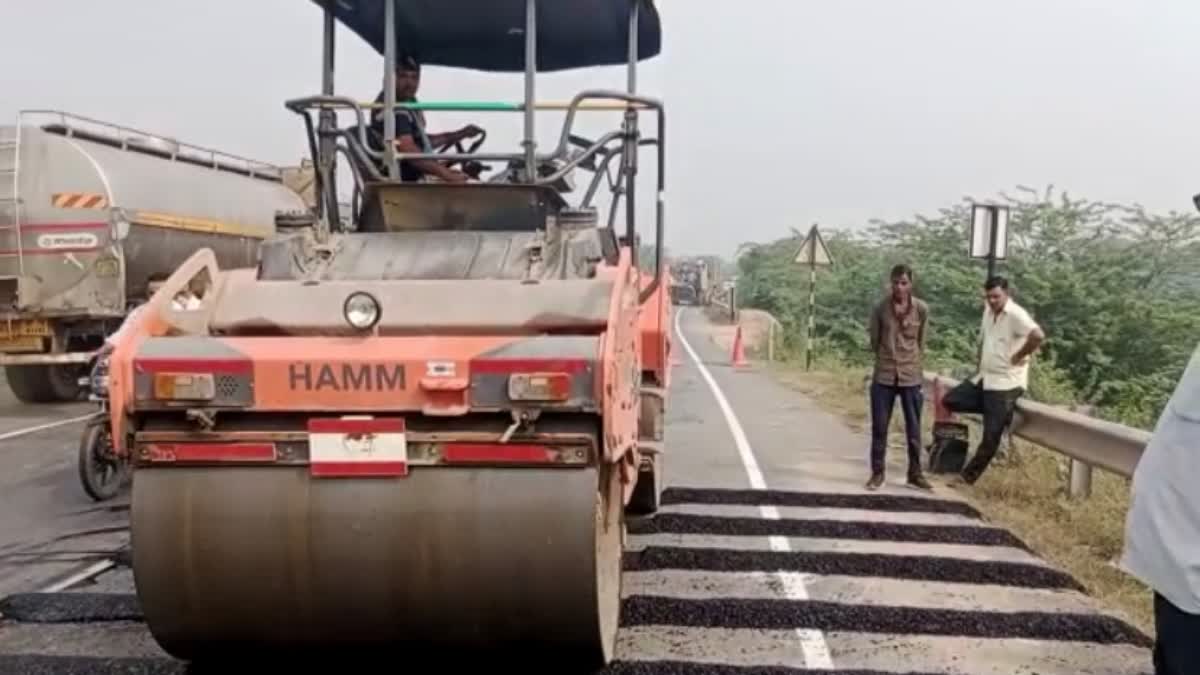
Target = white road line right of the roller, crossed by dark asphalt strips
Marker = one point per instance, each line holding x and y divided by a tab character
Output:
813	643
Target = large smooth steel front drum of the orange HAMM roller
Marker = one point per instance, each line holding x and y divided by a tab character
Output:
236	559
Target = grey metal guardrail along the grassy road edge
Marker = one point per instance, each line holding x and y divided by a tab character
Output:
1093	443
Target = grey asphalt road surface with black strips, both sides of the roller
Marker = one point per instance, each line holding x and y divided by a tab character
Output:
769	559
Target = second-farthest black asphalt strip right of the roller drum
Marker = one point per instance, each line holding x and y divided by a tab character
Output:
734	527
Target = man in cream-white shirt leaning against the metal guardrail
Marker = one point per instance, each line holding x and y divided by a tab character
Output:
1009	336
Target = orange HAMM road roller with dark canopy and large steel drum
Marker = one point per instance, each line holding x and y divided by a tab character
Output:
422	423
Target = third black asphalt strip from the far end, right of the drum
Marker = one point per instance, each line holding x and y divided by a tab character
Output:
913	568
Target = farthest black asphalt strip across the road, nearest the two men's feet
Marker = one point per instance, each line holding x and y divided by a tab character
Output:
817	500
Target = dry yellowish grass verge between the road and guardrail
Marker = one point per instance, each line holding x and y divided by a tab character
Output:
1025	493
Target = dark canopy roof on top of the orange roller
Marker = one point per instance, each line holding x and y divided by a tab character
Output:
489	35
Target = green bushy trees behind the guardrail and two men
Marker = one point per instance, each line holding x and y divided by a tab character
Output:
1117	289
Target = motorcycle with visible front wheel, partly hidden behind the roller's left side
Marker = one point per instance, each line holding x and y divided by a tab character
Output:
101	470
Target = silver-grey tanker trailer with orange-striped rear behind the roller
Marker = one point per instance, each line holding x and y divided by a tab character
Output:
89	212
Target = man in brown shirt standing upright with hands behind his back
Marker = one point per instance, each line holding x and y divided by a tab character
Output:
898	328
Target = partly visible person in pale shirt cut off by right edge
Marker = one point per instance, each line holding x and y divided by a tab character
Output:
1163	527
